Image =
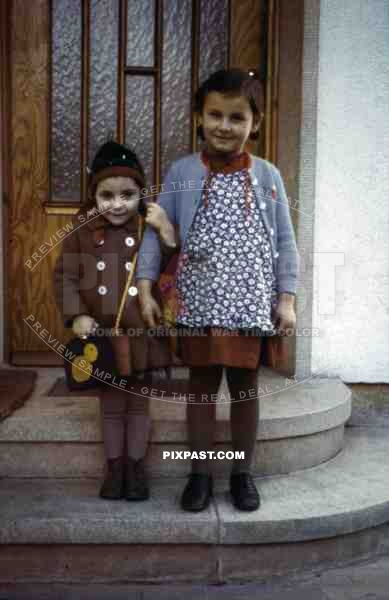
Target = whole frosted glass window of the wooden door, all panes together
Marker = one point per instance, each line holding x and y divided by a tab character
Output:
97	113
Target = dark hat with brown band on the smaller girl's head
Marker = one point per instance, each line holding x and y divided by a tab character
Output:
113	160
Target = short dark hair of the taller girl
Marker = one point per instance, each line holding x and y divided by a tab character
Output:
234	82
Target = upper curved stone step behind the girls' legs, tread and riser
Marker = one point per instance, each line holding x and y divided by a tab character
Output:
301	425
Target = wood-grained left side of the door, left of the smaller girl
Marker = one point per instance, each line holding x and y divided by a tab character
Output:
29	228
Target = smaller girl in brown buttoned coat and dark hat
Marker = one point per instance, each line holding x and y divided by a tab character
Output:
102	246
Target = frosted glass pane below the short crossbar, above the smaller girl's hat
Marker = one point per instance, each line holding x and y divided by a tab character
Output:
140	121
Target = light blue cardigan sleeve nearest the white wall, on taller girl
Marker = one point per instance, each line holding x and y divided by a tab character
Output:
288	258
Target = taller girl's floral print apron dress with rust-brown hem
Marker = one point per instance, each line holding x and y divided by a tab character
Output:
225	279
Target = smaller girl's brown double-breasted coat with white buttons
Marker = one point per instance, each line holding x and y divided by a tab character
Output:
94	243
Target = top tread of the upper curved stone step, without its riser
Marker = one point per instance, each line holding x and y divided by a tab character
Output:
286	410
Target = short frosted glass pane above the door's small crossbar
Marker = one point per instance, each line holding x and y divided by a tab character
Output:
140	33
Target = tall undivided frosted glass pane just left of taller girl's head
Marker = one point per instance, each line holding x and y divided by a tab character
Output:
176	81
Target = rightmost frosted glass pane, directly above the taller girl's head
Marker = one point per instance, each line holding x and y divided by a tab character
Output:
213	47
